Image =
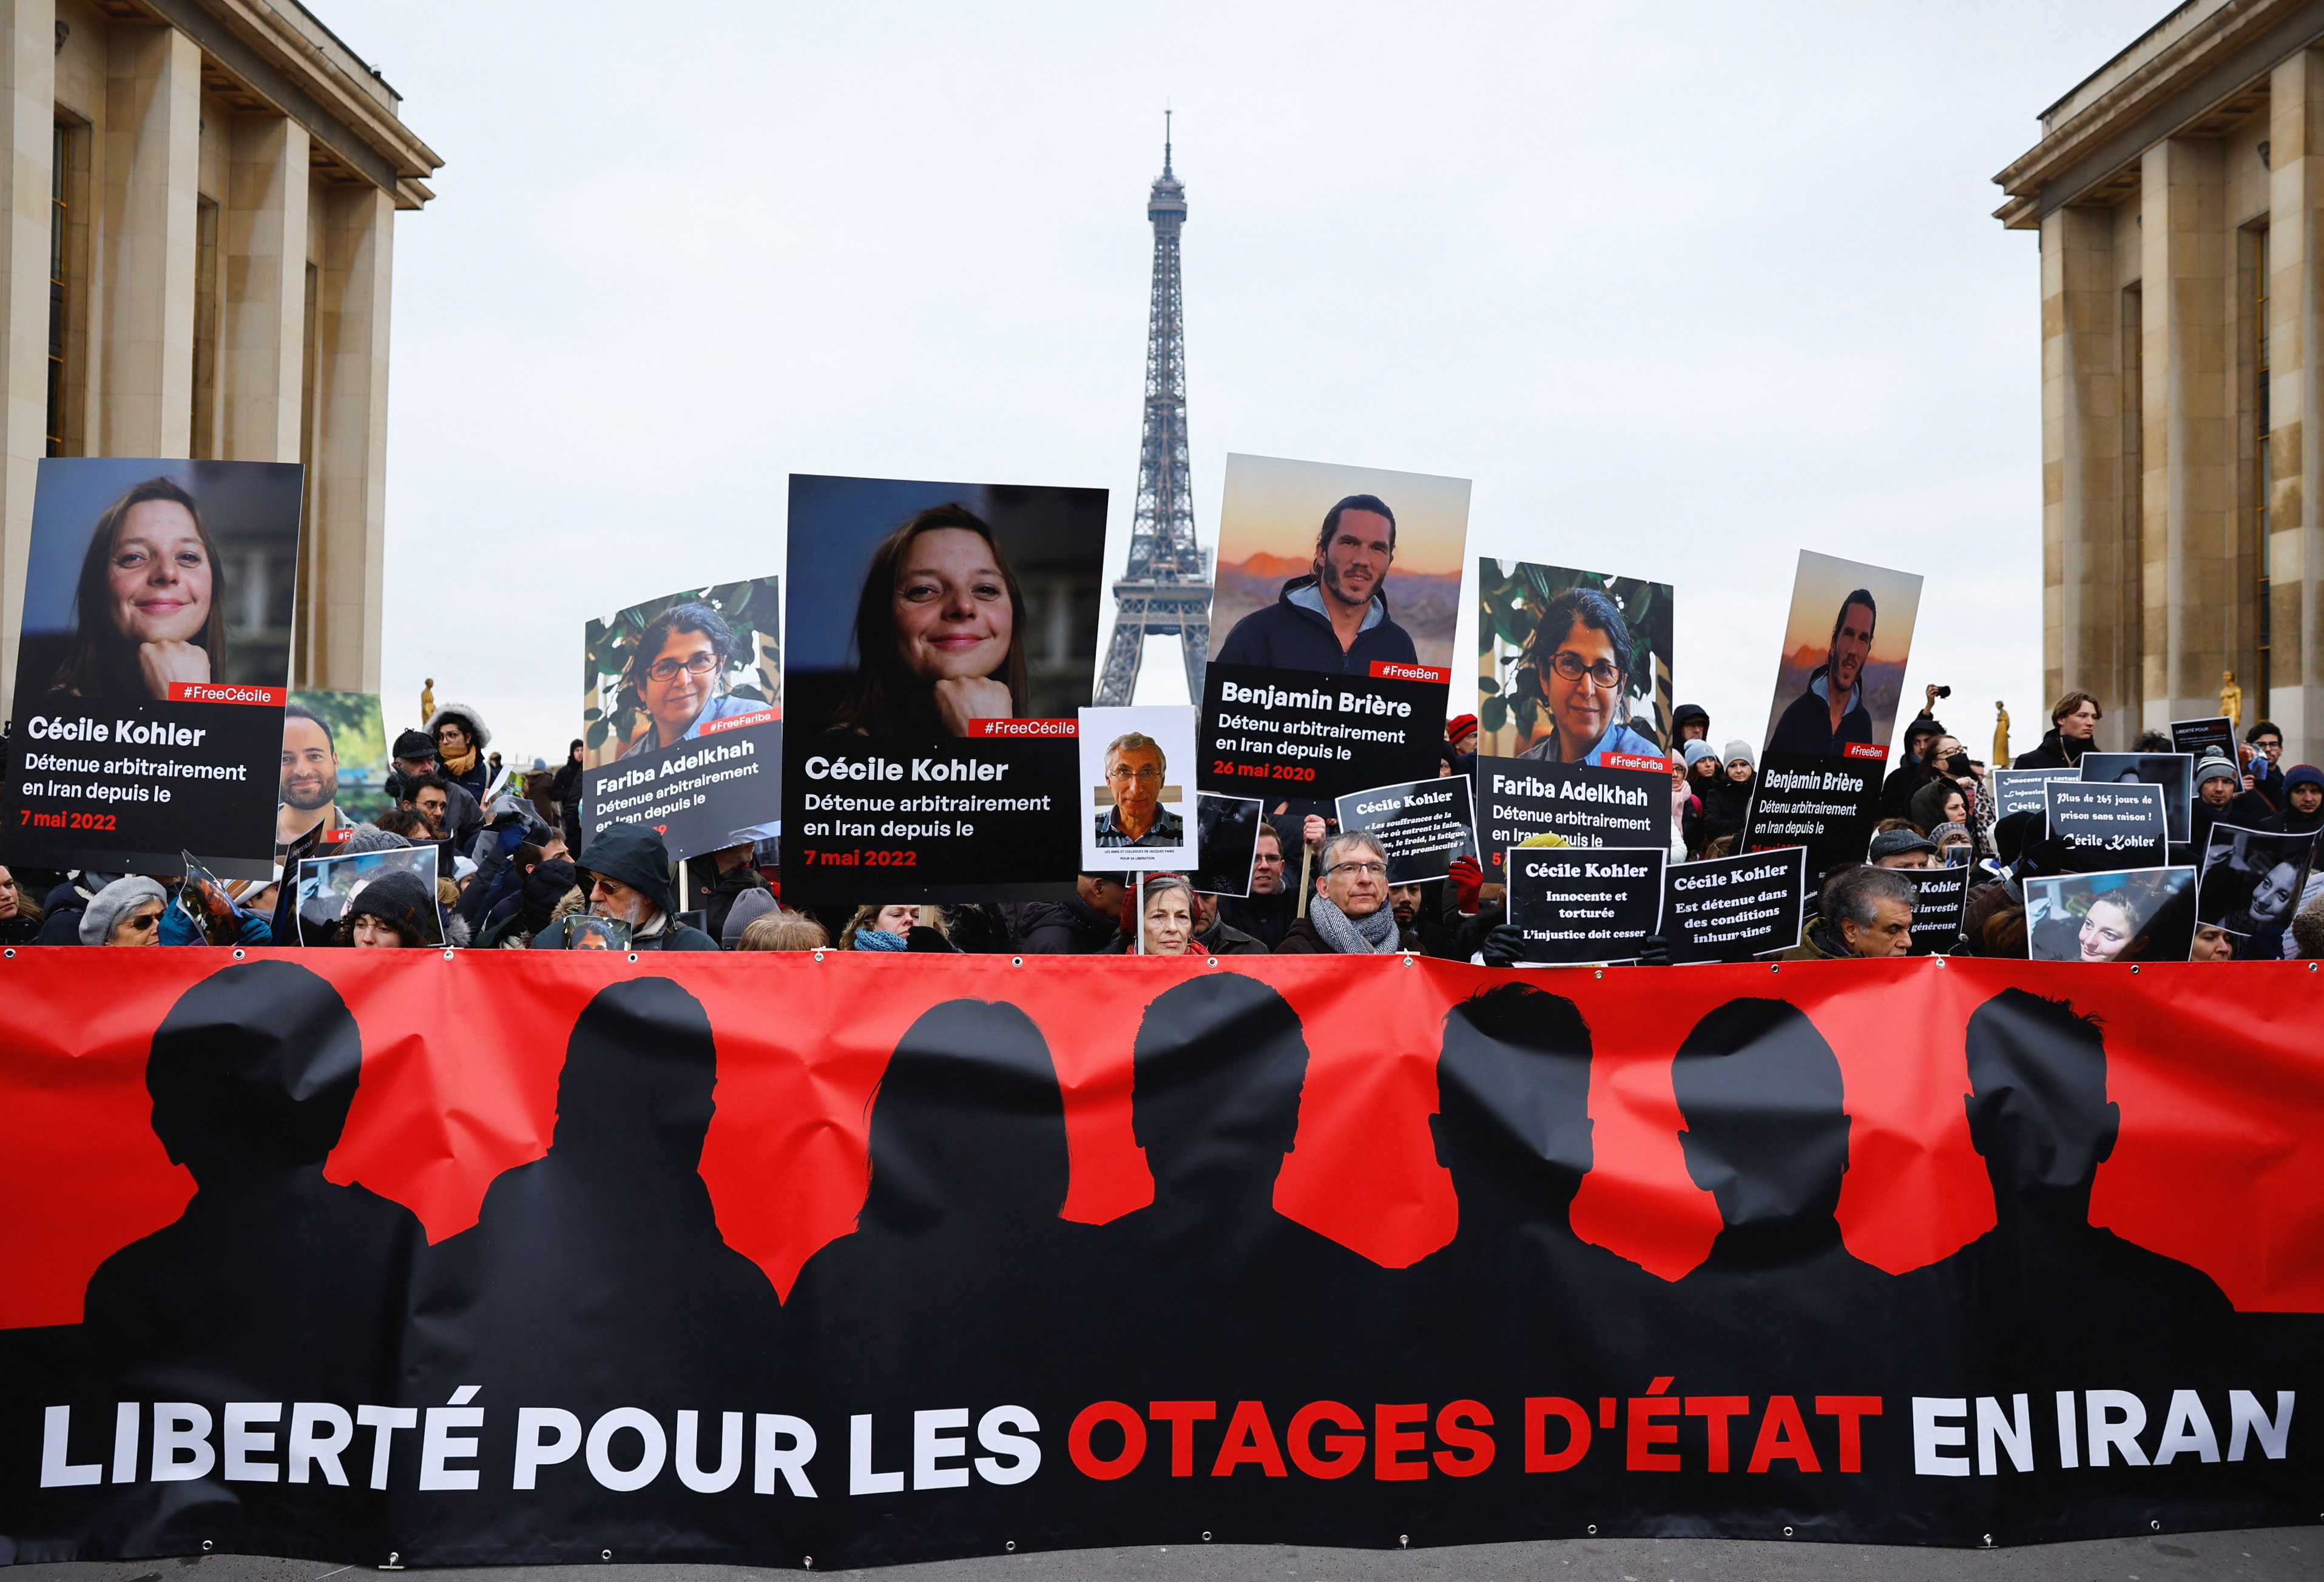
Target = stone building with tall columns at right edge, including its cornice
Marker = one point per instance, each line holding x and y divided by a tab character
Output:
2179	194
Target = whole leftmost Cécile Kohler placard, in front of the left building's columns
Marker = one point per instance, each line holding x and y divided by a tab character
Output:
152	666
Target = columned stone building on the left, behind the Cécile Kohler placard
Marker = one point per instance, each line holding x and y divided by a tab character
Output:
196	240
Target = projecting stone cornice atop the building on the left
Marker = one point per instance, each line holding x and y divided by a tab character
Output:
280	59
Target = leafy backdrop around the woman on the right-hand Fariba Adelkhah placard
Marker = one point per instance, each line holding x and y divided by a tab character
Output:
1512	594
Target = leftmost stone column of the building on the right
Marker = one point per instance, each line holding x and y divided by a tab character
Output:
2083	563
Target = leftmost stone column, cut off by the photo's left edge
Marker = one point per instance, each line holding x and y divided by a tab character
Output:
29	106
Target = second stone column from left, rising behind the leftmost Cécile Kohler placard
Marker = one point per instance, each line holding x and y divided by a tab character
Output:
148	252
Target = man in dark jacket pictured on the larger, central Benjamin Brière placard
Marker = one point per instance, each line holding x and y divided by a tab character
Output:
1335	619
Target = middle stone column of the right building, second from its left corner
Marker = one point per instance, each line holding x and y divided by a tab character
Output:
2190	489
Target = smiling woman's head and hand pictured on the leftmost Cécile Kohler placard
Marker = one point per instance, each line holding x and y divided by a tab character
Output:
150	607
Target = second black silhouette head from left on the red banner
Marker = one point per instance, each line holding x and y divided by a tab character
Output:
640	1072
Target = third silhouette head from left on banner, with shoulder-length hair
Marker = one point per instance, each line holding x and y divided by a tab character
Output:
968	1121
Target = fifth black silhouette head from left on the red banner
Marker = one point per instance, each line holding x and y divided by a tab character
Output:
1514	1098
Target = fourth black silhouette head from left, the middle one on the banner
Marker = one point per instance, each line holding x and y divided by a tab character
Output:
1214	1098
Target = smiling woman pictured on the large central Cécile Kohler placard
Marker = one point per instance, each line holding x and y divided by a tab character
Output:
940	633
